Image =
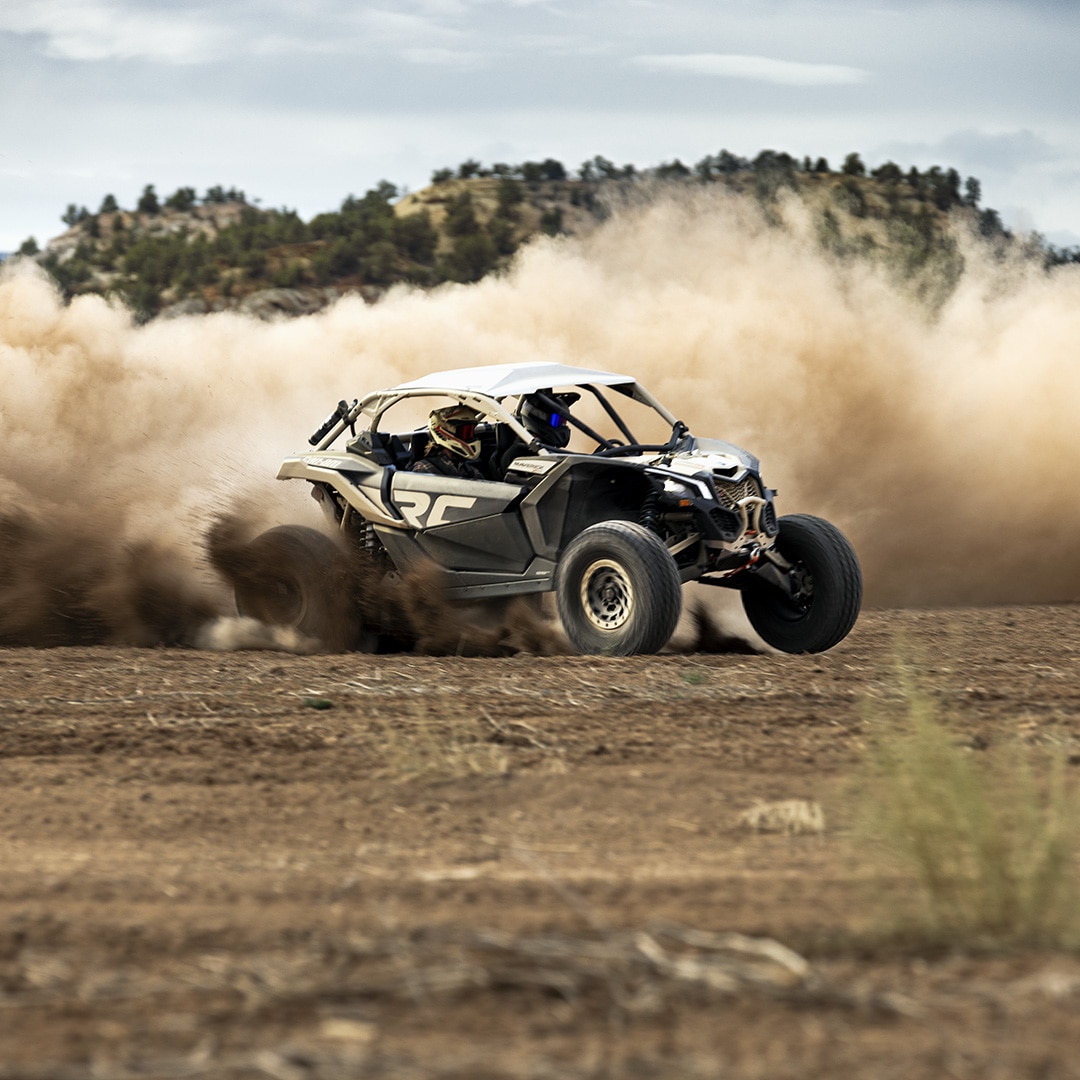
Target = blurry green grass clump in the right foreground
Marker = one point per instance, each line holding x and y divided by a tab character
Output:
992	839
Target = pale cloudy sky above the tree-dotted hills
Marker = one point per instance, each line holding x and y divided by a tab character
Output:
303	104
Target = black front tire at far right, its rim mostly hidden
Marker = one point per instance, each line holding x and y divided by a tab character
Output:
830	583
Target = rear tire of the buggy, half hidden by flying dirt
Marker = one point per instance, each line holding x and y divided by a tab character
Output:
299	577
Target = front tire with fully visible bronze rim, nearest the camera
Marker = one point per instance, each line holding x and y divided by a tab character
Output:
618	591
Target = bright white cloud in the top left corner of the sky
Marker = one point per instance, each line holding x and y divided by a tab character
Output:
104	30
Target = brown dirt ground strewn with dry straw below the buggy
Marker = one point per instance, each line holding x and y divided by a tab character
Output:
255	865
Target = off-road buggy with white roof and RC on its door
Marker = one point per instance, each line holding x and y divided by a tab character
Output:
614	524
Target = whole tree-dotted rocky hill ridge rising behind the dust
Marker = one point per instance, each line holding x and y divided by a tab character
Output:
221	252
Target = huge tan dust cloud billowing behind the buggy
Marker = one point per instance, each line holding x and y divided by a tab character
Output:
942	444
